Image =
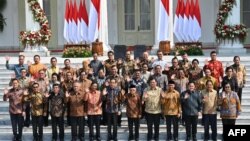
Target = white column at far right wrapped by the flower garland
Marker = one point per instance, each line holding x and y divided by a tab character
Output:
229	45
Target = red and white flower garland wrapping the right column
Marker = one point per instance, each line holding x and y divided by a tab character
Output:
223	31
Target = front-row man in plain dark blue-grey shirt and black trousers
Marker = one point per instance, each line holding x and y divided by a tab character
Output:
191	100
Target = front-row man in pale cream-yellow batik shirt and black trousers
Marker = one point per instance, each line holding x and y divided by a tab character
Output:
151	98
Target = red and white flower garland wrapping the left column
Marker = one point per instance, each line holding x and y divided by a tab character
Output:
41	36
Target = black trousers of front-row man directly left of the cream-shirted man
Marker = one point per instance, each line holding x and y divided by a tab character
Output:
136	123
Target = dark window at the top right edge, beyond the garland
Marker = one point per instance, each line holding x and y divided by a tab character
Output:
246	12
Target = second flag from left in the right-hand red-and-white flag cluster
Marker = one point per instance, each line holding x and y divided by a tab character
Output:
186	22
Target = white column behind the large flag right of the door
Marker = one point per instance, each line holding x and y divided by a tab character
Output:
171	35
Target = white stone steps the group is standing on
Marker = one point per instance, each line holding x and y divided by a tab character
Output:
5	125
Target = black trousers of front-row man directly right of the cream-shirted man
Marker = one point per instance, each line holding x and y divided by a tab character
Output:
172	120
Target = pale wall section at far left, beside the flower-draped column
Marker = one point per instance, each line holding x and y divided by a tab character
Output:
9	37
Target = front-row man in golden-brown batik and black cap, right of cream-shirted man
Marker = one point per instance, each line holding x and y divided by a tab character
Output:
172	109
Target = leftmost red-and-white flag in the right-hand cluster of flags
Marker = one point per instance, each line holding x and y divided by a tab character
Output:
176	21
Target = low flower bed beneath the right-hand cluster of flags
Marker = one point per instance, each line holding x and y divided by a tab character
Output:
192	49
